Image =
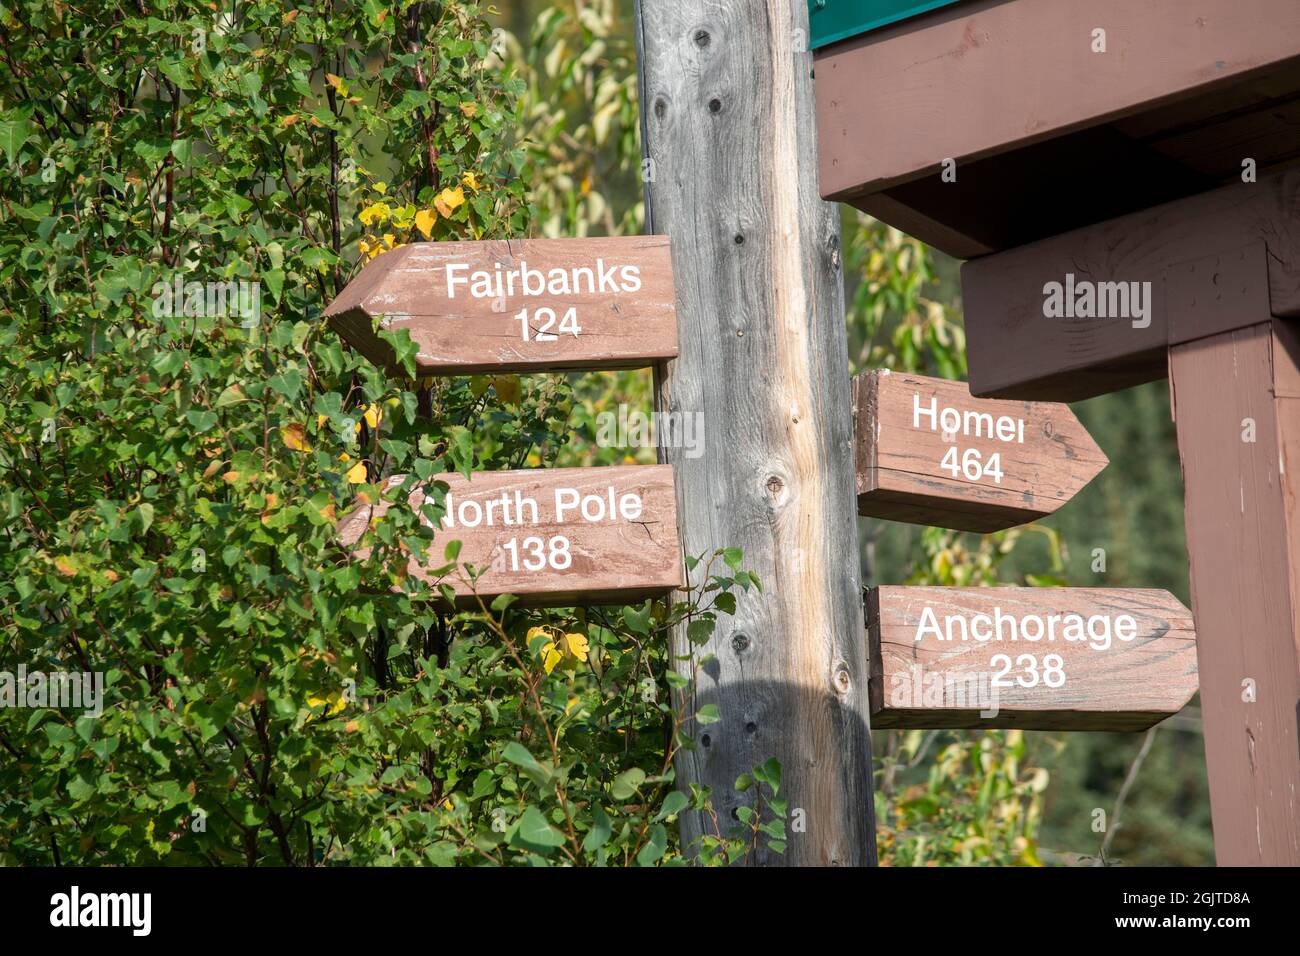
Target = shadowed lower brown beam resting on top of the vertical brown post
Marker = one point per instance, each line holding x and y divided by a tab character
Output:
1219	261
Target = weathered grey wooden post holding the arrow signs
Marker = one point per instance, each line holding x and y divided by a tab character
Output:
727	114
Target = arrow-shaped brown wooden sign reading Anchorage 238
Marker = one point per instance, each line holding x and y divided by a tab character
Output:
1116	685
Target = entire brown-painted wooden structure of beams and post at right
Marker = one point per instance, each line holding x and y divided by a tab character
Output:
1130	206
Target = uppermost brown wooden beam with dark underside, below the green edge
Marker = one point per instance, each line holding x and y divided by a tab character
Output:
994	84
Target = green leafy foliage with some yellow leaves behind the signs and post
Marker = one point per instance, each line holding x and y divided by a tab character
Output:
171	482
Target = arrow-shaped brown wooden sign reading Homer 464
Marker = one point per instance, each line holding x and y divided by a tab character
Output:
928	453
